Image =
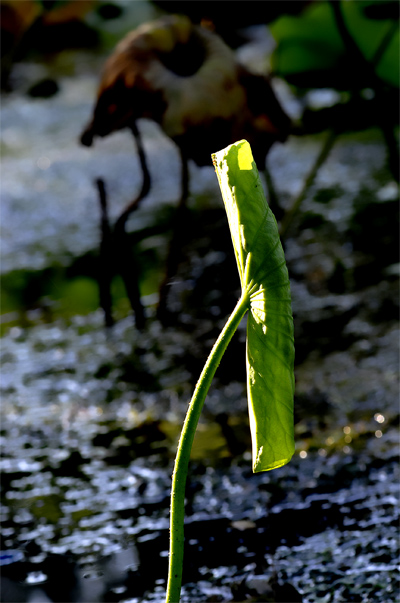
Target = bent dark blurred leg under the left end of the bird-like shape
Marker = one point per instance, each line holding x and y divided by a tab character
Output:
124	257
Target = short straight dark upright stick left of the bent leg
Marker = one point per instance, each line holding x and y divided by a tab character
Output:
105	259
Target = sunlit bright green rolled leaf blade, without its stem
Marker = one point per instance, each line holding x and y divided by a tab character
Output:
265	282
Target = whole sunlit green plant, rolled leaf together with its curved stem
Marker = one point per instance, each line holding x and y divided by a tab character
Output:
270	345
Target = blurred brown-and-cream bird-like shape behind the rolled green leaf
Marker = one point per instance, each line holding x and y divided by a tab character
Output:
186	79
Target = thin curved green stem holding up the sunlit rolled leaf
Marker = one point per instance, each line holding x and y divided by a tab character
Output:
185	447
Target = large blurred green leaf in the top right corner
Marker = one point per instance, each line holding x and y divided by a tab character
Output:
312	53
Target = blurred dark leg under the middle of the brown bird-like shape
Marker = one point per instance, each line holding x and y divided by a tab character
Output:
175	247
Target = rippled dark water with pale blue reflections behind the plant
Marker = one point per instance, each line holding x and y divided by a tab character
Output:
90	418
